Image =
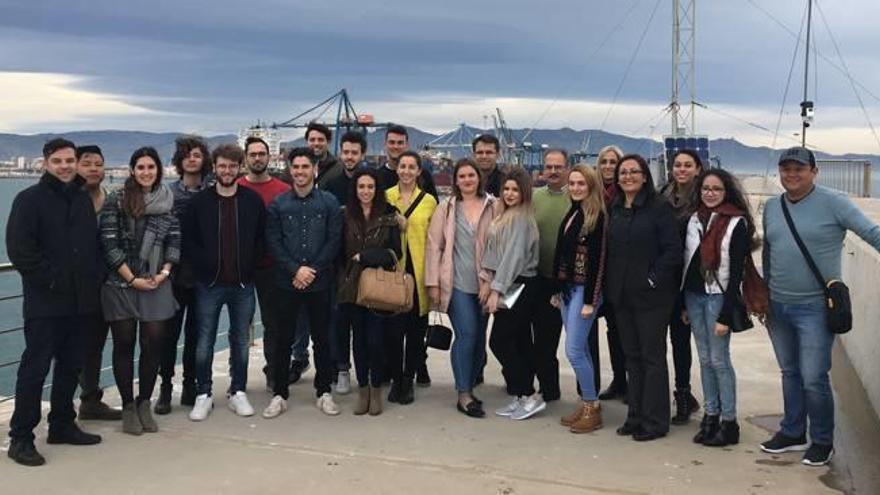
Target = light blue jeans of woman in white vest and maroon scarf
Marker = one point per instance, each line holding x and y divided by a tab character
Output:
716	370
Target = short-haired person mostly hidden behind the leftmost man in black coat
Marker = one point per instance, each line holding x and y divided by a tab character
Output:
90	166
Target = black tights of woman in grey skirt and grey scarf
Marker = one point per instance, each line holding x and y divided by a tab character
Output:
124	335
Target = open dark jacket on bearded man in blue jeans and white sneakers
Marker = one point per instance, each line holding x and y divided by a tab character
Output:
201	244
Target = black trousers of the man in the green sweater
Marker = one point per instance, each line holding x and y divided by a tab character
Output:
546	324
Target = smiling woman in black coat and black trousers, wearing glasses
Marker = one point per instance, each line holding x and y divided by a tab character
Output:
643	263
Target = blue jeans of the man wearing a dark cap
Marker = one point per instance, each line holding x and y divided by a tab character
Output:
802	343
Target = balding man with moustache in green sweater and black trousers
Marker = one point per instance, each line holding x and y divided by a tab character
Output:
551	203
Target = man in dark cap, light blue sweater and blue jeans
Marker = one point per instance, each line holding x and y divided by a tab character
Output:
797	325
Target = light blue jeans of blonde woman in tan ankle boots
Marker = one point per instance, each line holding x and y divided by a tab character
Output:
577	331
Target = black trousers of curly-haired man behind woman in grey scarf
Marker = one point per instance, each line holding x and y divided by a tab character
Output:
184	319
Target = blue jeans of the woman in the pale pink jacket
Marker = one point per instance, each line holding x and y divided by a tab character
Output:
469	347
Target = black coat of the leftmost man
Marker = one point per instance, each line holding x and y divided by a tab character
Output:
52	240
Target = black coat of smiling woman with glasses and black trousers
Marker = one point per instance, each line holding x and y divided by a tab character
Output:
644	253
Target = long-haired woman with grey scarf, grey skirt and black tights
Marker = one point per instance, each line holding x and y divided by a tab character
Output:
141	239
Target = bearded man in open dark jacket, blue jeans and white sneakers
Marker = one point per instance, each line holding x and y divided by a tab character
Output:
225	226
